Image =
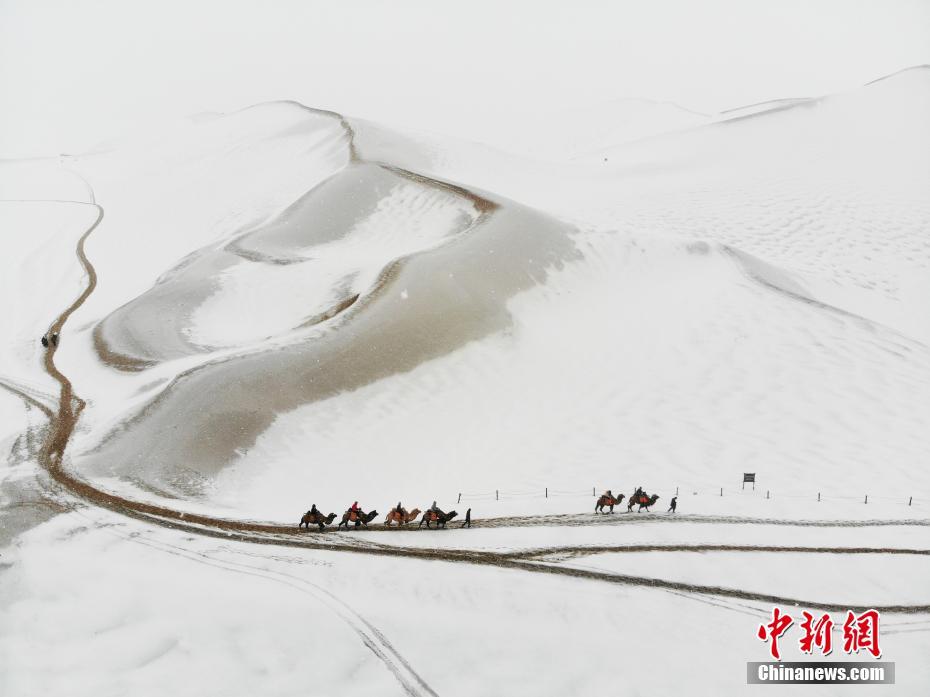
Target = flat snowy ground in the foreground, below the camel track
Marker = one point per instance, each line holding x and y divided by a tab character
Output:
157	612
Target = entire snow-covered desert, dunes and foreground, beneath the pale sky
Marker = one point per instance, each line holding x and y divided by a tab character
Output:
296	307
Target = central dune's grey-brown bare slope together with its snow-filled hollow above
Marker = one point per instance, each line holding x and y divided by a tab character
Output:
418	267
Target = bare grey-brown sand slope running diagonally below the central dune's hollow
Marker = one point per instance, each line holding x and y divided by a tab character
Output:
424	307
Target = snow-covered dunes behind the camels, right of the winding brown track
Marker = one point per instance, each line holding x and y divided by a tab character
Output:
310	299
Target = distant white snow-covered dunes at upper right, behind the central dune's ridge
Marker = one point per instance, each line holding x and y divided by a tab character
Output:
830	190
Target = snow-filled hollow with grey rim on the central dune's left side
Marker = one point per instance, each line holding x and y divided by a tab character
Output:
304	267
